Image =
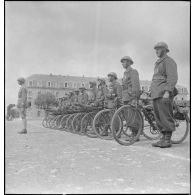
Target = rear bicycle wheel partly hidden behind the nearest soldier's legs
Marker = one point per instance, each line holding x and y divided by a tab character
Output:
182	129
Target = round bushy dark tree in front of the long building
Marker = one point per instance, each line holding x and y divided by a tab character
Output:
44	101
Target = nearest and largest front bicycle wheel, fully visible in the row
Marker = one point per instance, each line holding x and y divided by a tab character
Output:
131	125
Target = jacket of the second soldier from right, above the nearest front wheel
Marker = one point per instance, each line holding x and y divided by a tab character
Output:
130	84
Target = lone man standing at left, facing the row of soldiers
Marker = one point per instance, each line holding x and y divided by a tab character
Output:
22	104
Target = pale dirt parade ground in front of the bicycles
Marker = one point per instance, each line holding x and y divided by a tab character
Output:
53	161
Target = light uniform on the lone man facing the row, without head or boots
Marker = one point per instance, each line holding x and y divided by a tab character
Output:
22	101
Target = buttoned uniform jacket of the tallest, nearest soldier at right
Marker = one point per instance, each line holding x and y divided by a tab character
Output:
165	77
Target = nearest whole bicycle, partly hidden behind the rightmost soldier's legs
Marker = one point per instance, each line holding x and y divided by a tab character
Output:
138	119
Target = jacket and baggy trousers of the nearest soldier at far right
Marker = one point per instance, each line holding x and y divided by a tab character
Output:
164	79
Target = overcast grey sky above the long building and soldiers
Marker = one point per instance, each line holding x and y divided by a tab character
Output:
90	38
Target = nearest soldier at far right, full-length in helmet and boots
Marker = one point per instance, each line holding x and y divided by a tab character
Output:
162	92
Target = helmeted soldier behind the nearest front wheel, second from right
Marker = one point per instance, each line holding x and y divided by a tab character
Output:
130	82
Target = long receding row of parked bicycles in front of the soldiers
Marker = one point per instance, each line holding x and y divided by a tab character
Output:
124	124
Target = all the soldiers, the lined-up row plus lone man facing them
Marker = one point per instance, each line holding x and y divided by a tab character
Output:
162	93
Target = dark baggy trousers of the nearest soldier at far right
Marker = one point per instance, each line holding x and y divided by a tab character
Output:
163	113
